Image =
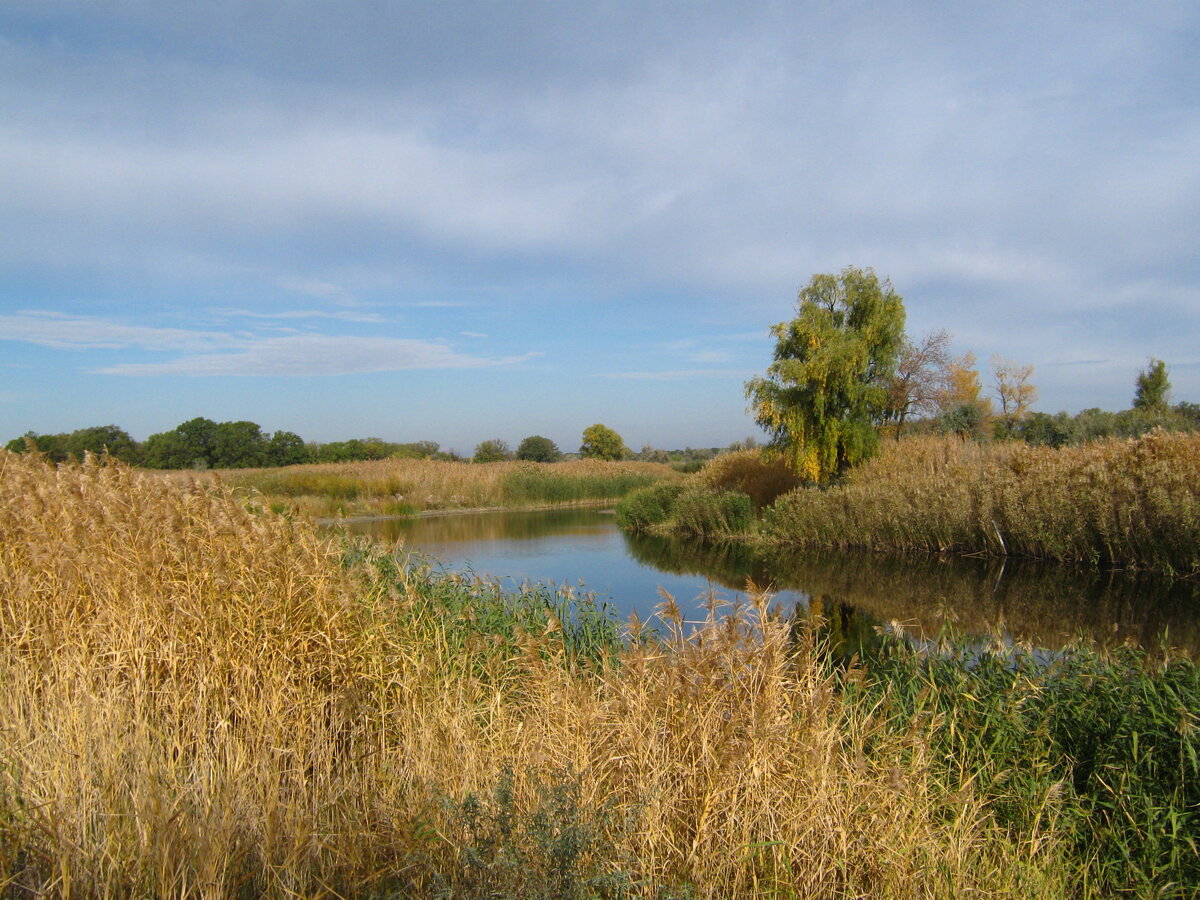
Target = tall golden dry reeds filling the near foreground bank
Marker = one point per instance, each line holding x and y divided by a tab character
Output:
202	700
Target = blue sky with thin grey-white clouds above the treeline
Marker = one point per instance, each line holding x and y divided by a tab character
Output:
458	221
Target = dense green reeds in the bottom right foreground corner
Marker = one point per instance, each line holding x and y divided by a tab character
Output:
1102	752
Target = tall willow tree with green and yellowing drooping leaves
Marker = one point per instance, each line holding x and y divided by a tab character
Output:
827	391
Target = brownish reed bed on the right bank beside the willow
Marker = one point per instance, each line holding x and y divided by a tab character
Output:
1115	503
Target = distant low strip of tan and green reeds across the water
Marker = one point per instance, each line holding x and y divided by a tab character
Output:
407	487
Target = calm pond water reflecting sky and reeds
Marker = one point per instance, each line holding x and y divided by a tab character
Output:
1043	605
